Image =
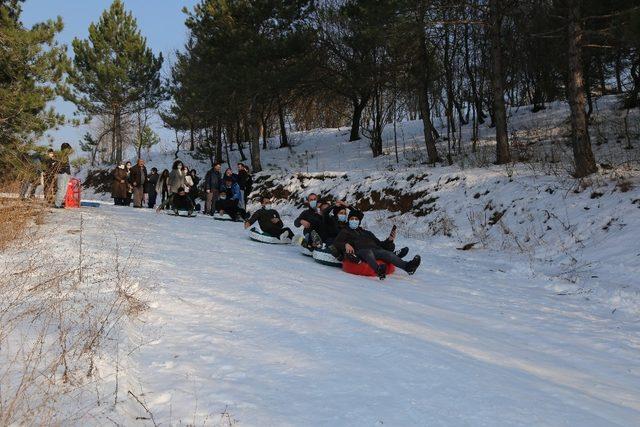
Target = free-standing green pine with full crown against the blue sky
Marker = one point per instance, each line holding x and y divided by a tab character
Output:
114	72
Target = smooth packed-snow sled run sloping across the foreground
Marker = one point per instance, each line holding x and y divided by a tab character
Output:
244	333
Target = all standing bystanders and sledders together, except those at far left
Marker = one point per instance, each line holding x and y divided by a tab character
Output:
333	227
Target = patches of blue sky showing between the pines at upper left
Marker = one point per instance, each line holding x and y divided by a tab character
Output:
161	22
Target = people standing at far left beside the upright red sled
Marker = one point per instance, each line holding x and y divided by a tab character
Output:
53	172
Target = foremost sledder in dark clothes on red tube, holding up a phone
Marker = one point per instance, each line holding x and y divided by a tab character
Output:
357	244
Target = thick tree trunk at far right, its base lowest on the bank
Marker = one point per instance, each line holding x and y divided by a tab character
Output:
583	156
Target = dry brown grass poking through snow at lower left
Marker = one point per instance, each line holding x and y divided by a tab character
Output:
61	313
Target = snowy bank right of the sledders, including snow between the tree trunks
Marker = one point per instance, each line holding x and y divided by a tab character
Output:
575	230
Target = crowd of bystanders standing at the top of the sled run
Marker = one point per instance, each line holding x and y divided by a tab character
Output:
179	188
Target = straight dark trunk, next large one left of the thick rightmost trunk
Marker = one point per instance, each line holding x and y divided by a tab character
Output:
499	110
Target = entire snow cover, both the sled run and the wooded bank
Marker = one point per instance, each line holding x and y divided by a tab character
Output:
524	311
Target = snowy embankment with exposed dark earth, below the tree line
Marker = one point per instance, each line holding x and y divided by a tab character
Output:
581	231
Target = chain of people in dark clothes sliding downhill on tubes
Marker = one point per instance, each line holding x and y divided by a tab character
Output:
337	228
